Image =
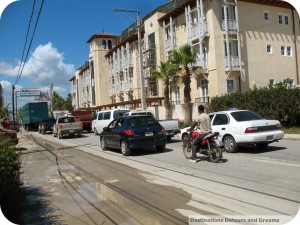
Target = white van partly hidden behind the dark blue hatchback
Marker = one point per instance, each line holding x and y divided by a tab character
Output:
103	118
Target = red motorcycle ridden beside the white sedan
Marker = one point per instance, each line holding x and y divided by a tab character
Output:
209	146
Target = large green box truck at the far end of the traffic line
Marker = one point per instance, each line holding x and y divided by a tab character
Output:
33	113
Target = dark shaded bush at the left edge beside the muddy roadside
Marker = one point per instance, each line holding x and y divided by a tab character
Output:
10	186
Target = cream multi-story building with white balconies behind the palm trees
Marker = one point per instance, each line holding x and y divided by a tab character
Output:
240	44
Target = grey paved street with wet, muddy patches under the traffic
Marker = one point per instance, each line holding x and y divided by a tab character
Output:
251	182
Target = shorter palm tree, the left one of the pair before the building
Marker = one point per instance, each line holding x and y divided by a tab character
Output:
166	74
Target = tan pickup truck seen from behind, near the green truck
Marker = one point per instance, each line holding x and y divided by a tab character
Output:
67	126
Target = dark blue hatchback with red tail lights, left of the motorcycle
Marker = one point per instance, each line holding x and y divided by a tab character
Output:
133	132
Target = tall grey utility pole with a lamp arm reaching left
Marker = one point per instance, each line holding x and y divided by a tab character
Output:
142	81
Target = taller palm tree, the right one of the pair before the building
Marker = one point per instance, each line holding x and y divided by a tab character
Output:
184	58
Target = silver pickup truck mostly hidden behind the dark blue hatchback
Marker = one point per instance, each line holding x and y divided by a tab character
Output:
172	126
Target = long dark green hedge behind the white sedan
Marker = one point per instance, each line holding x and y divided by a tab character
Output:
280	102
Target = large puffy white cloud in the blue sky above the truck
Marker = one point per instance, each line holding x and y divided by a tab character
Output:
44	67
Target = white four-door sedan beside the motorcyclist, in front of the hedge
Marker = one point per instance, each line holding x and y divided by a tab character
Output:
243	127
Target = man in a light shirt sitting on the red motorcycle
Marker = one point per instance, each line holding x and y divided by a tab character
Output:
205	127
